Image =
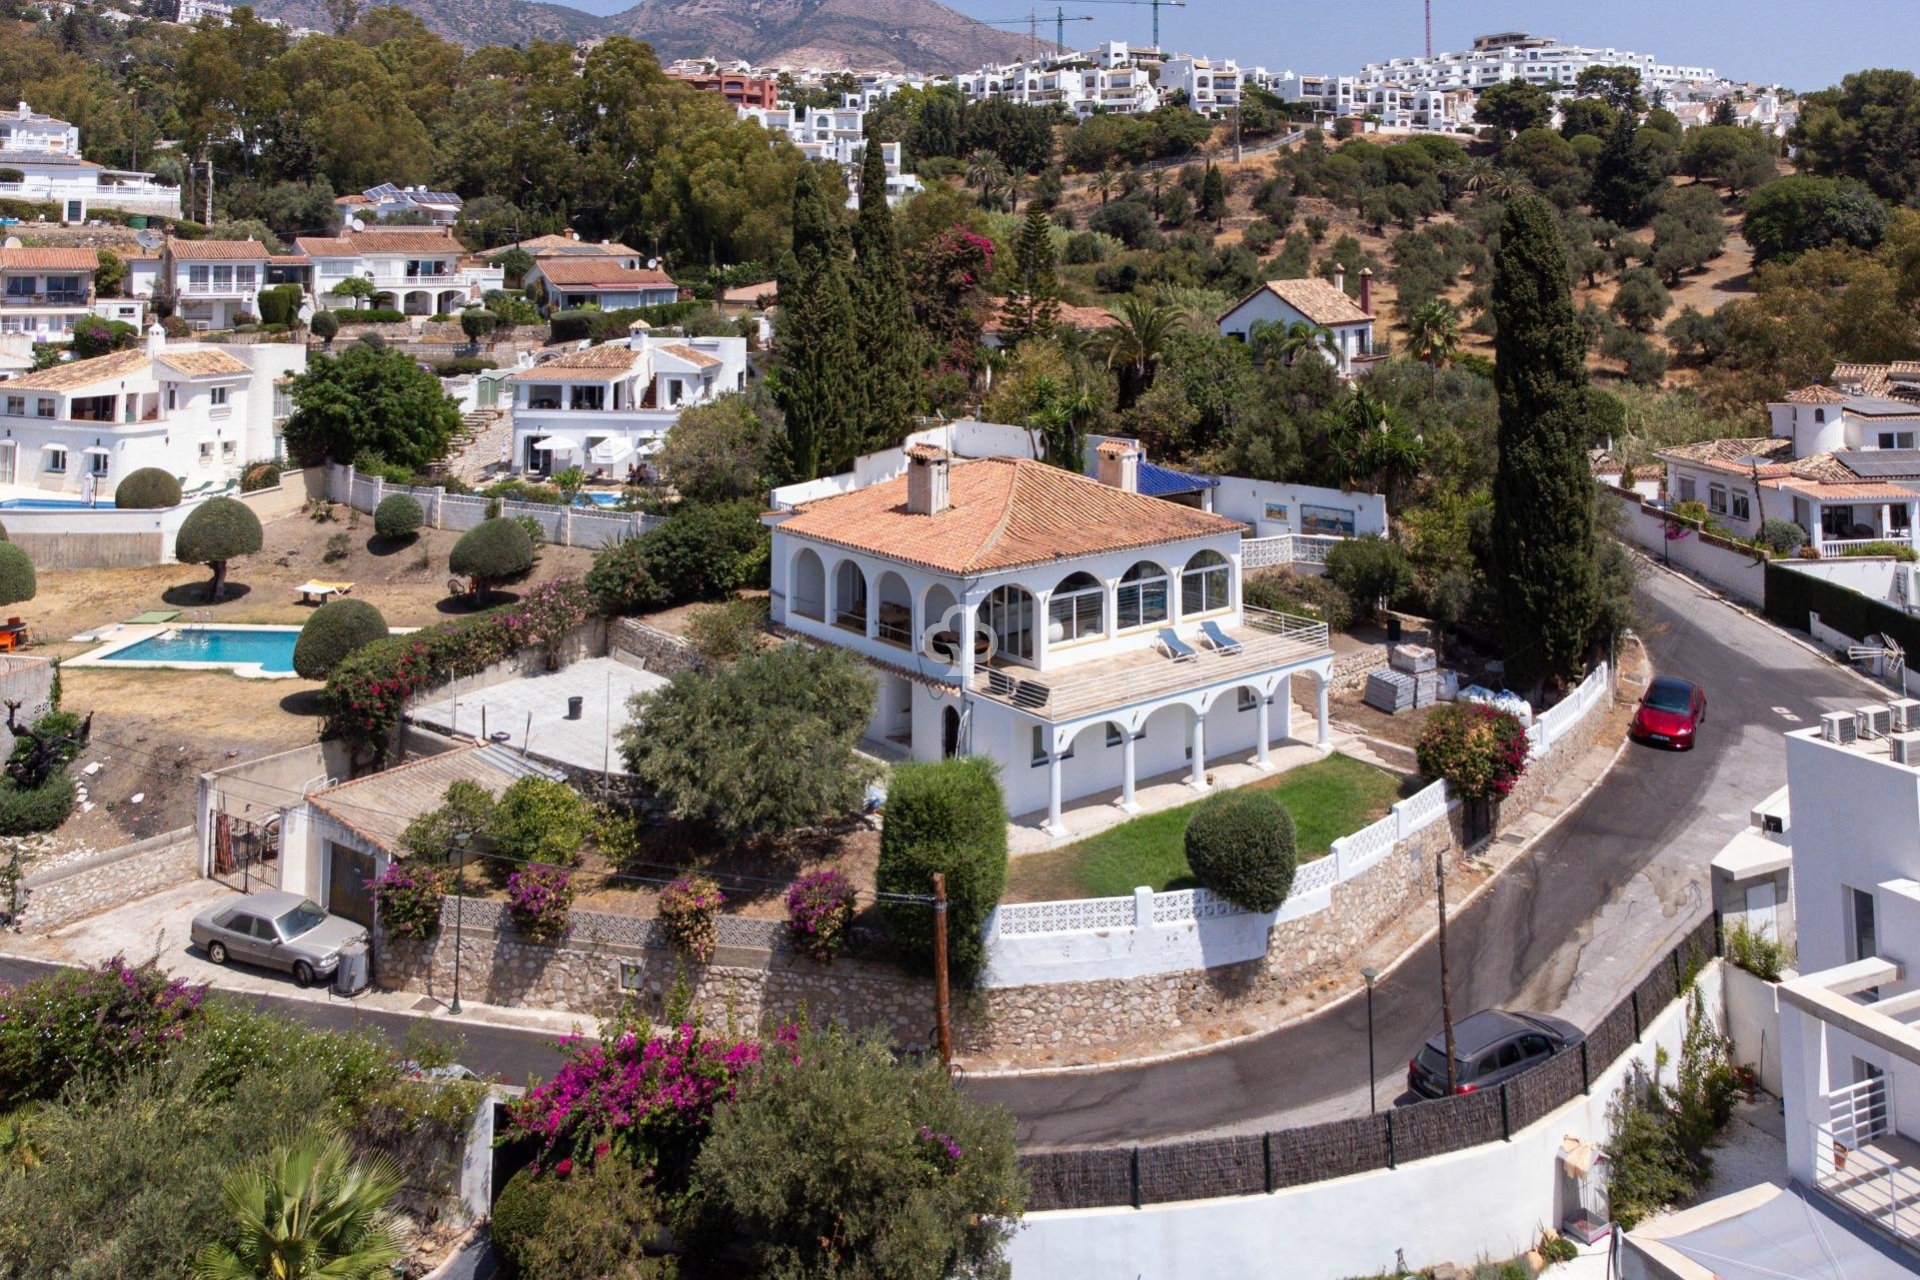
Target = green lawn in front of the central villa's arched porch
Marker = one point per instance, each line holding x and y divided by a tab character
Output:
1328	799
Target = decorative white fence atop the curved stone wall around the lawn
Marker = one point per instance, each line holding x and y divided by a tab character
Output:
1090	939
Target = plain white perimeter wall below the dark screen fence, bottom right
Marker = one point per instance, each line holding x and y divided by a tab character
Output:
1485	1202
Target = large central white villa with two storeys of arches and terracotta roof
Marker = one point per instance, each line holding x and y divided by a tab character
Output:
1080	634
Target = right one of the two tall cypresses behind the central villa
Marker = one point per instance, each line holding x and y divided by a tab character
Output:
884	316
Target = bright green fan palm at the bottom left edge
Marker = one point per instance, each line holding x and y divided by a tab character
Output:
308	1212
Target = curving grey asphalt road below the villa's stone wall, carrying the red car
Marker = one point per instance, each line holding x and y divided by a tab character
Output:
1568	930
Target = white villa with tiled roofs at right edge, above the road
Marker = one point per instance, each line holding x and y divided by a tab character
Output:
1842	463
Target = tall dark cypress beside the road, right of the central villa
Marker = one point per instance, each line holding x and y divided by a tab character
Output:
1543	490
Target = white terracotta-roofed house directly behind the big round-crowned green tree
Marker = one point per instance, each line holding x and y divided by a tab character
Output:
414	270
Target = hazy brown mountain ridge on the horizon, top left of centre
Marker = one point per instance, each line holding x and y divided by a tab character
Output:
844	36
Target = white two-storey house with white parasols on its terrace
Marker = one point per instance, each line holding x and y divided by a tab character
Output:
610	408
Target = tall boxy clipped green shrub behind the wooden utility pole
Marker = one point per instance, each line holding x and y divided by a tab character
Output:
944	817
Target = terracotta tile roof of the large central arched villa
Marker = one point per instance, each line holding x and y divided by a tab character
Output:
1003	513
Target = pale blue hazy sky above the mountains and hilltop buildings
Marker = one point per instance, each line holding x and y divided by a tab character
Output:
1796	43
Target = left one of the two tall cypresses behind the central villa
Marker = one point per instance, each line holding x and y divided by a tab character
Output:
817	383
